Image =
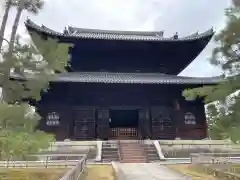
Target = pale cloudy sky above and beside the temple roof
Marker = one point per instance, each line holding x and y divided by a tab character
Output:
182	16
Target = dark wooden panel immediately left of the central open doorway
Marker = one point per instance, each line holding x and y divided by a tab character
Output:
103	128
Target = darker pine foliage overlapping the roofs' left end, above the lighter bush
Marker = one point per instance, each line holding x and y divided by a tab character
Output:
37	65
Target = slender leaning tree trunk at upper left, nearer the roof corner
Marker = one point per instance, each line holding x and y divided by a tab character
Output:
14	30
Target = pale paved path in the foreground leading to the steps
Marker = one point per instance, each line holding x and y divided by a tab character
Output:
149	171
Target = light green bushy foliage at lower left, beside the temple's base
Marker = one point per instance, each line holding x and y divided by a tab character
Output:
18	137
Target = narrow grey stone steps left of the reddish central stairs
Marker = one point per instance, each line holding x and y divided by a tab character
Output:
110	151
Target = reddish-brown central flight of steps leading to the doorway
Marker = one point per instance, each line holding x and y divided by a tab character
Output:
132	152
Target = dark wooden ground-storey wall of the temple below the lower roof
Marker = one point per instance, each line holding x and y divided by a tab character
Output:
84	111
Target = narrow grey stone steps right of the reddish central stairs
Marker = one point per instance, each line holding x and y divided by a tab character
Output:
151	152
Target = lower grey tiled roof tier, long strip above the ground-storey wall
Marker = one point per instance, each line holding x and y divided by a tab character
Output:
129	78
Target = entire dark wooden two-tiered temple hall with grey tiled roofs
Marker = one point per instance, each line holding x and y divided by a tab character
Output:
118	77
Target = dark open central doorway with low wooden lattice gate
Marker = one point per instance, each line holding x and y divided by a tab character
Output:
124	124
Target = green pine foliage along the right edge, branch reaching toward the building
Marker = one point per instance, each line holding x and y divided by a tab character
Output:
224	114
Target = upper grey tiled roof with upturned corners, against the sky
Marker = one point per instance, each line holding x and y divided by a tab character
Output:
82	33
